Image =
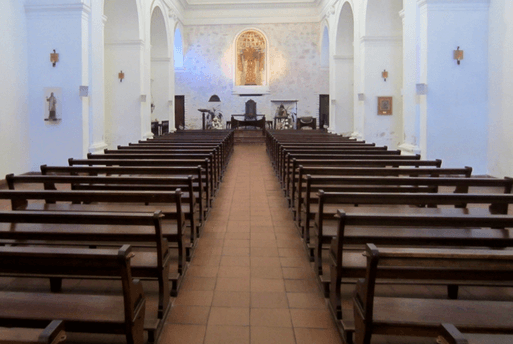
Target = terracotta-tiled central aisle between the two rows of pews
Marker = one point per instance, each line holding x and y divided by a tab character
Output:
250	280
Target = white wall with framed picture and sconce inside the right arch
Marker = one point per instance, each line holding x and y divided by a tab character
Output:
382	50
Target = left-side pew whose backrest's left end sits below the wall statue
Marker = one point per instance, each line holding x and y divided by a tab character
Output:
197	172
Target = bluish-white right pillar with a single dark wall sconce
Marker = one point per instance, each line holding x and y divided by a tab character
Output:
457	98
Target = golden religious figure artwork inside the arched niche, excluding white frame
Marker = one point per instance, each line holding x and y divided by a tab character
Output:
251	50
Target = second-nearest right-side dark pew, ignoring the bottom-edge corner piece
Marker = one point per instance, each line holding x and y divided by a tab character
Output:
431	228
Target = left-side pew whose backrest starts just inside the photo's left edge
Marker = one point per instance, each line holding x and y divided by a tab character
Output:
190	207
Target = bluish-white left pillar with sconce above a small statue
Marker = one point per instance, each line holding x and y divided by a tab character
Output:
64	29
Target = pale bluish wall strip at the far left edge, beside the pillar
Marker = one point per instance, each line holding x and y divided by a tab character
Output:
14	136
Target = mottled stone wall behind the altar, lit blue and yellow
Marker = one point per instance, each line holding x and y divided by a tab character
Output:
210	63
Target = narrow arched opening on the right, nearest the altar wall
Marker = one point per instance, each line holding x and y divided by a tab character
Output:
342	113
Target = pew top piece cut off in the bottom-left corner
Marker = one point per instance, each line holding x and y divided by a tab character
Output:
52	334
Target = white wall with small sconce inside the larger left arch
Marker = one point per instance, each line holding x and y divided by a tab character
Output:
123	56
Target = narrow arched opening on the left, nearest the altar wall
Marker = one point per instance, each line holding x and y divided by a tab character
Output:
160	64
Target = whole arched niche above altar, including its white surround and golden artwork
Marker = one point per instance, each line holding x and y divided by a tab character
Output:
251	62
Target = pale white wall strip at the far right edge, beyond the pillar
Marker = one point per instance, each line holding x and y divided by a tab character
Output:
500	147
